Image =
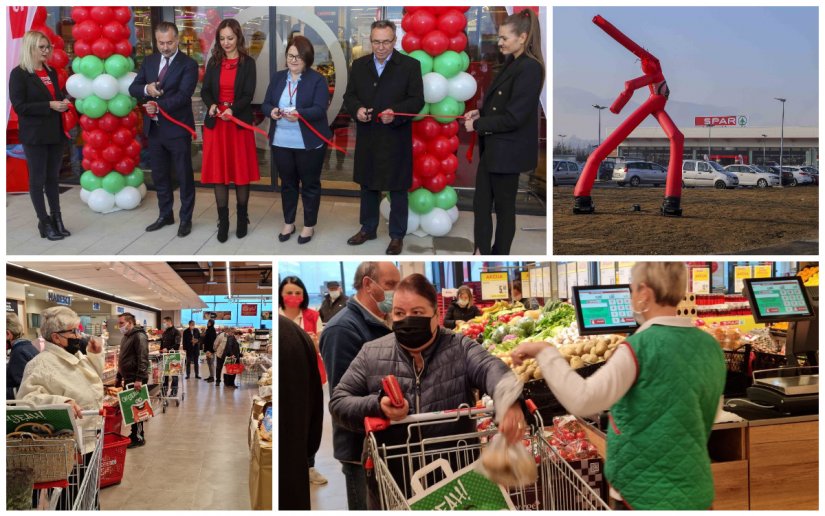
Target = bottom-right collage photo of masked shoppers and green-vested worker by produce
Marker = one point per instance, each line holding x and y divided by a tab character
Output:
709	367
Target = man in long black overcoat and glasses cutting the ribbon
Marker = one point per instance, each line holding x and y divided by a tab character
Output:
381	84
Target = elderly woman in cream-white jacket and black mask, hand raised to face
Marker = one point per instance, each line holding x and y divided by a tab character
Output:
61	373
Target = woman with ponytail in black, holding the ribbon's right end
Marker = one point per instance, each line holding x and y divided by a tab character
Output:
507	126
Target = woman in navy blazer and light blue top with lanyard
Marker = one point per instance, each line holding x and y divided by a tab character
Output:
297	152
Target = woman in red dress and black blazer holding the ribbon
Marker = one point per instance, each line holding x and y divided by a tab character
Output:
229	154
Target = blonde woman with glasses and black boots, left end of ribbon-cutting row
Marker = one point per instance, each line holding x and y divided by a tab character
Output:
36	97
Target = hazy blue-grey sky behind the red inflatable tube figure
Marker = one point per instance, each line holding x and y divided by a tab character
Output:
717	61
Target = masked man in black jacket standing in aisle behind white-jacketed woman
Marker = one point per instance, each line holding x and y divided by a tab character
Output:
133	364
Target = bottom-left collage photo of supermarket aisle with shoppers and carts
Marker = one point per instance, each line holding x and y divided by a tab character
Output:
102	409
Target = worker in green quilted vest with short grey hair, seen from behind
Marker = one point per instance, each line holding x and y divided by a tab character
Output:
663	387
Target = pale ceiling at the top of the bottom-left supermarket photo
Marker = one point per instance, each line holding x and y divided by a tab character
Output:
153	284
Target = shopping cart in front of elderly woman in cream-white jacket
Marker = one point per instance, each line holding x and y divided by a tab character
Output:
81	488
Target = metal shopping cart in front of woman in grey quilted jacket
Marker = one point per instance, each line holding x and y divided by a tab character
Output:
558	486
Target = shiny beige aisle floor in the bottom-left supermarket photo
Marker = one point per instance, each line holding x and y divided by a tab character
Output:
196	456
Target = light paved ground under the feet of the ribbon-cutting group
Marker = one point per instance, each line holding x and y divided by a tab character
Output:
123	232
